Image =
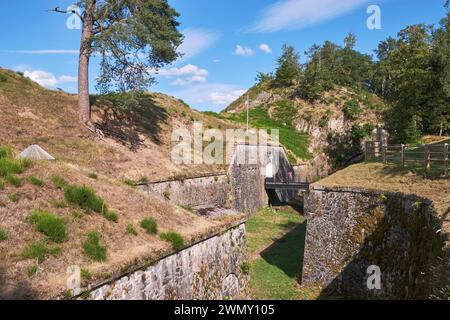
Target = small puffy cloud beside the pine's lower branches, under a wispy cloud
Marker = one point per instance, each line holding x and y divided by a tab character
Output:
185	75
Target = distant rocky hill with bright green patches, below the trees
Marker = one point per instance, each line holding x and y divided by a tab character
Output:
308	128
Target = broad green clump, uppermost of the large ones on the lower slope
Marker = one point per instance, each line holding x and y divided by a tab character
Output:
85	198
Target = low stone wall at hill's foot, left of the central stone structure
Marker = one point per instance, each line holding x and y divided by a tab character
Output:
197	191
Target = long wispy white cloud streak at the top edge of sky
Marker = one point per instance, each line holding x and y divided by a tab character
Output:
297	14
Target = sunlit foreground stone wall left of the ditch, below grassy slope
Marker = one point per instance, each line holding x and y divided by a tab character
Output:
211	269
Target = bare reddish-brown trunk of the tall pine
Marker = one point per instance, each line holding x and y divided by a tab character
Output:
84	106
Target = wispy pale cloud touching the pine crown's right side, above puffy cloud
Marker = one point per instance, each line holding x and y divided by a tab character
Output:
196	41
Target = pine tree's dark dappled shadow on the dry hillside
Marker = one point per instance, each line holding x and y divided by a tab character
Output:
124	118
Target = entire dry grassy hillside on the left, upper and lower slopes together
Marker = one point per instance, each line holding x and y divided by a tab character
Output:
83	208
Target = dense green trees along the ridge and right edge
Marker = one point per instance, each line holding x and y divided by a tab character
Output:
411	73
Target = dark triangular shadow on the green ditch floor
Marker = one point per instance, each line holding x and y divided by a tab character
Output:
287	252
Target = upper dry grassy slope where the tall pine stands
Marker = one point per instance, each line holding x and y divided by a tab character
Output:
137	140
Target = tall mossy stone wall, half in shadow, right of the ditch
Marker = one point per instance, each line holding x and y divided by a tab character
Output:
349	230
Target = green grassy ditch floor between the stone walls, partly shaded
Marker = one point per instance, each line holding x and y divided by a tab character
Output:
276	244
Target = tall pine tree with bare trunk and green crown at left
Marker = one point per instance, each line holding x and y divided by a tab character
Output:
132	37
